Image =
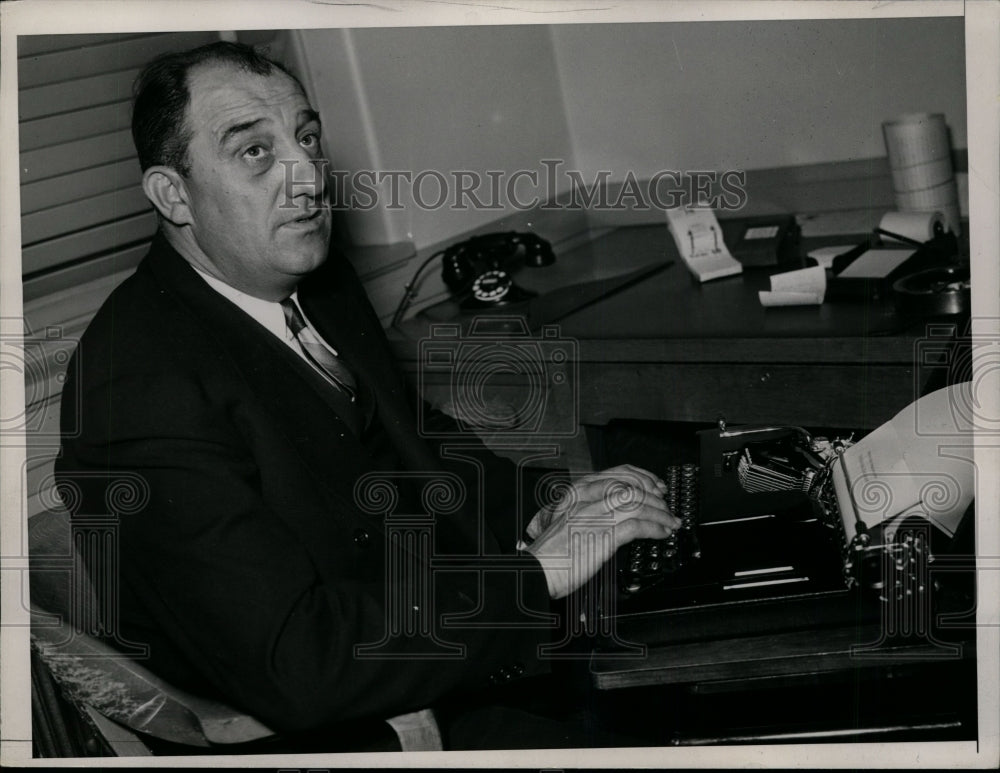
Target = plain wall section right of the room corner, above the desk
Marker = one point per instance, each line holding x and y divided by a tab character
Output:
752	95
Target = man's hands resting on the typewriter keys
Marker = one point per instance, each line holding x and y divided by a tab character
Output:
597	514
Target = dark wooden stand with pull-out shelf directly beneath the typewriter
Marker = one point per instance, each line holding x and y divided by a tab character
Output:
792	687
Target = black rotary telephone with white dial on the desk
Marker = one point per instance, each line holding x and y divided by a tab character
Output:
478	268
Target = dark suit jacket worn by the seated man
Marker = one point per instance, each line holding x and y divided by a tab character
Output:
250	570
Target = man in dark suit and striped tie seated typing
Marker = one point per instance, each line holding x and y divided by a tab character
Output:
243	376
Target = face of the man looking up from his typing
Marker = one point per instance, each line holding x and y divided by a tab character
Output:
255	188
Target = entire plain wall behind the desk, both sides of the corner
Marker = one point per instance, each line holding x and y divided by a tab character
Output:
639	97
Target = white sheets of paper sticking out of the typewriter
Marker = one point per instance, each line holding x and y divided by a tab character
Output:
918	463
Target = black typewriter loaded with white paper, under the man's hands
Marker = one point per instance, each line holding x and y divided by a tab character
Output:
782	530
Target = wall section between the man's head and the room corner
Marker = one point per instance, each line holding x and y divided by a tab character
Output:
441	99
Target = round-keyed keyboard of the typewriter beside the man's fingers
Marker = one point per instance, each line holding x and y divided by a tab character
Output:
644	563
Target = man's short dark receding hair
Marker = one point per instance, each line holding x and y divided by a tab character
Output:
161	97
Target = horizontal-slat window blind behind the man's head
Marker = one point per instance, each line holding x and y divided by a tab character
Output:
83	213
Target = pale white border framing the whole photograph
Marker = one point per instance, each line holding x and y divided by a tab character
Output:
982	21
